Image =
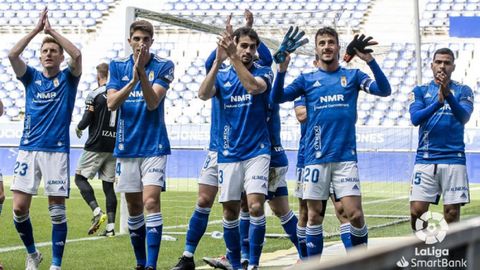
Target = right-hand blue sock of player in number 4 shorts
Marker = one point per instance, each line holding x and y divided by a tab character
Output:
154	225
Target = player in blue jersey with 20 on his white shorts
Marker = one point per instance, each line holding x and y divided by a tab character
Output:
331	94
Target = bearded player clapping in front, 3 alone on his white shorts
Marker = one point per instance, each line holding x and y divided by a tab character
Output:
244	145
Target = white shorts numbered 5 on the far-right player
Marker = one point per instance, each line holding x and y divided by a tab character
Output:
430	181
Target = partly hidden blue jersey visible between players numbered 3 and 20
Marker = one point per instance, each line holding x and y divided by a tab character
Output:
278	157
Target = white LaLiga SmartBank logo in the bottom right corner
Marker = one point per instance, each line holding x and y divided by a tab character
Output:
431	256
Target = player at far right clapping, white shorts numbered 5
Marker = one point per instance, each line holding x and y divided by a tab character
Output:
441	108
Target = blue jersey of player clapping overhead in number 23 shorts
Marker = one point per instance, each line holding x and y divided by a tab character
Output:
48	110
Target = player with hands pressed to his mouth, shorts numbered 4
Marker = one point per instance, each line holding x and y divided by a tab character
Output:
137	88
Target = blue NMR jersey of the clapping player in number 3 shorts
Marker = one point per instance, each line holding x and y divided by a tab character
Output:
243	132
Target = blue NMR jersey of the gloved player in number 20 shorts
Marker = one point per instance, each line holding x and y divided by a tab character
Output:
331	101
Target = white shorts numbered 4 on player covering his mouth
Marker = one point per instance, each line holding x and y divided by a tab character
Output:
134	173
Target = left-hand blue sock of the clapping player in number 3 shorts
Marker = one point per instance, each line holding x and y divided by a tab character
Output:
231	235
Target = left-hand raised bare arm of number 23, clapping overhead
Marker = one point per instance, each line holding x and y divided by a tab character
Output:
18	65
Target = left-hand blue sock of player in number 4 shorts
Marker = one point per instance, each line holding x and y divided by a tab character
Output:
136	227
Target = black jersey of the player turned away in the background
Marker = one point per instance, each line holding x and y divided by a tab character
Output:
101	122
